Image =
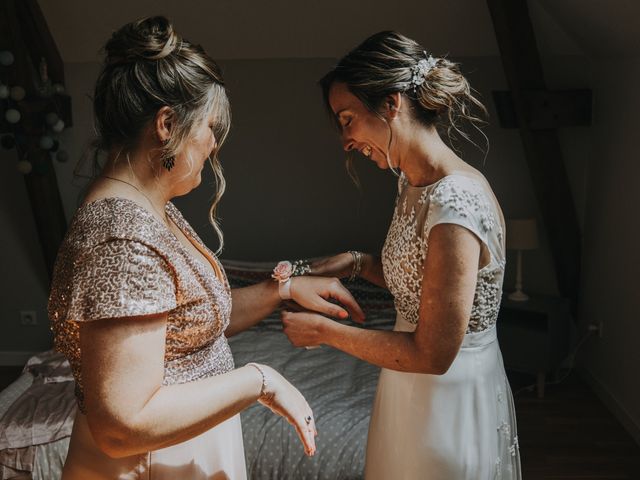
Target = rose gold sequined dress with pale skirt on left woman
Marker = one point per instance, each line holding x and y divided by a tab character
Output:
118	260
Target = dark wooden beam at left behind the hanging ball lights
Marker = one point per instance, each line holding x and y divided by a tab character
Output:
24	32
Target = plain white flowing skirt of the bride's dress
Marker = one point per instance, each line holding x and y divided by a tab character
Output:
456	426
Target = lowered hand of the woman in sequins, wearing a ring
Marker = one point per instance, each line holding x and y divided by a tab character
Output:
282	398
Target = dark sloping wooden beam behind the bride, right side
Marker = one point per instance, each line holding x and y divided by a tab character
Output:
524	73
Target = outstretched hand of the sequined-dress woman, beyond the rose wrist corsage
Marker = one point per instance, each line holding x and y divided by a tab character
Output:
313	293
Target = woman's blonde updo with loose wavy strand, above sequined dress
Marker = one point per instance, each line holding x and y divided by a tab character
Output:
147	66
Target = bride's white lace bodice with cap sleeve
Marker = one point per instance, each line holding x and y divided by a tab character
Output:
458	199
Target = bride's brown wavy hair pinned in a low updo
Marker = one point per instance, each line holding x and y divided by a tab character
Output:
385	63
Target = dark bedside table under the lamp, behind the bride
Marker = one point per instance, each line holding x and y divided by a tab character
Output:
534	335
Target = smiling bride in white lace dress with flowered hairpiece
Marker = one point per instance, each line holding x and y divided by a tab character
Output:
443	409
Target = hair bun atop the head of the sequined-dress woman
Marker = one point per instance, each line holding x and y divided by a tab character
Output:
150	38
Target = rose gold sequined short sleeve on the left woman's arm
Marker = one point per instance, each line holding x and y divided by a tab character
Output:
121	278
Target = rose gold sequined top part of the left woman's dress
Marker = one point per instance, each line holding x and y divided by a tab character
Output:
118	260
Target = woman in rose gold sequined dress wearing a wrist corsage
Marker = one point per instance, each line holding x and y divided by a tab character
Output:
139	305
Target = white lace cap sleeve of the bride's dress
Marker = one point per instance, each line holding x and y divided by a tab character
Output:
461	201
